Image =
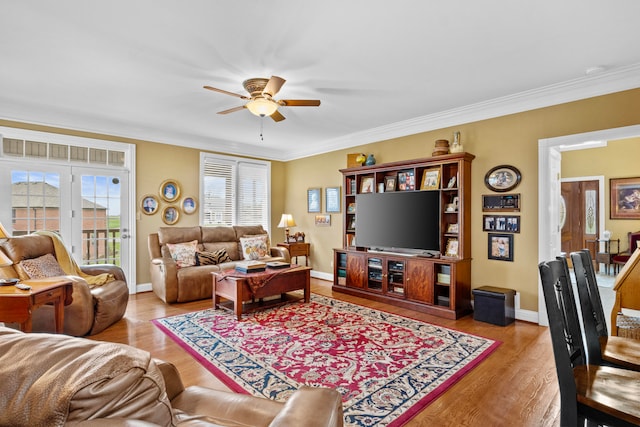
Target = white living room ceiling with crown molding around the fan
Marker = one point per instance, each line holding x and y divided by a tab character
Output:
382	69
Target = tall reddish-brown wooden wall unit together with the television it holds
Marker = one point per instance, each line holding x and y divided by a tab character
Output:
432	276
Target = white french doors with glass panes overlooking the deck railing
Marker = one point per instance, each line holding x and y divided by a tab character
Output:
88	207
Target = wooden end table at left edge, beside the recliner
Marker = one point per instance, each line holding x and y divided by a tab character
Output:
17	306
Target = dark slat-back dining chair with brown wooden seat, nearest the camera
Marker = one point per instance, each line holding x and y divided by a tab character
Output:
588	393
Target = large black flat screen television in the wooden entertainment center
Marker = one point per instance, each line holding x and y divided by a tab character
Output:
405	222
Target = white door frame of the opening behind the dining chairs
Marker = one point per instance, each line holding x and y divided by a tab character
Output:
548	214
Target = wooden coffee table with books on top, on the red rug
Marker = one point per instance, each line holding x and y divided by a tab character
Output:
237	288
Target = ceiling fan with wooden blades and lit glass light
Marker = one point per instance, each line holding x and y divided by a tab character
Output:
261	102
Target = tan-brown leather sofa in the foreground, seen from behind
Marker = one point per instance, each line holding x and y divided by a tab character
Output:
56	380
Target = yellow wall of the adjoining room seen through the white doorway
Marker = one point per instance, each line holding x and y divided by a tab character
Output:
619	159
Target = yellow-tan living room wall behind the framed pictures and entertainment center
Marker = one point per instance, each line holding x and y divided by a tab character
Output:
511	139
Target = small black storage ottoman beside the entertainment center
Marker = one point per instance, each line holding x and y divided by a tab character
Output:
494	305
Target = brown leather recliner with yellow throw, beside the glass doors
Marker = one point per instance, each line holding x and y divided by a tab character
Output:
93	308
